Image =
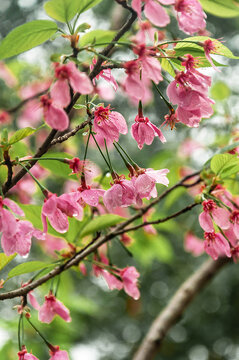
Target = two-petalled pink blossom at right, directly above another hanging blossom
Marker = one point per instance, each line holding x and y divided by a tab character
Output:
212	212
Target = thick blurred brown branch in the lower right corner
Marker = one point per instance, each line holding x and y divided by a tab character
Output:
177	305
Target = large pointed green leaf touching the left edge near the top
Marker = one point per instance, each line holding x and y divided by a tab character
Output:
26	37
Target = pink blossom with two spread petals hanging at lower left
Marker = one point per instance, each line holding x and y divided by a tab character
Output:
52	307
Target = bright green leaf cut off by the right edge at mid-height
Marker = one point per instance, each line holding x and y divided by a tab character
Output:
225	164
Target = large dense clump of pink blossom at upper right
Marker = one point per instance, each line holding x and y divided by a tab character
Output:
189	91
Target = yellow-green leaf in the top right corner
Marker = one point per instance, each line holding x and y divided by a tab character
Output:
220	8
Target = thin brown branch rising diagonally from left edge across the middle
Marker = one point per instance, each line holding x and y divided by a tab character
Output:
92	247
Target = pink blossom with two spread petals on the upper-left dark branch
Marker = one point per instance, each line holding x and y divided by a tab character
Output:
68	74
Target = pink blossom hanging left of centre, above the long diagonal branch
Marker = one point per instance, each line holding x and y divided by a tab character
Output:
57	209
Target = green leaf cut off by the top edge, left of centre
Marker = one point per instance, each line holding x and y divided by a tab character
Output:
65	10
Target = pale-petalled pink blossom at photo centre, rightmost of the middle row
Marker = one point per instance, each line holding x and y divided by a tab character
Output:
145	181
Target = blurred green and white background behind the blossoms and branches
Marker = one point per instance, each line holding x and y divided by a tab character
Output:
108	325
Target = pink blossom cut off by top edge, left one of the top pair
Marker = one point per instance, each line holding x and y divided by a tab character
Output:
153	10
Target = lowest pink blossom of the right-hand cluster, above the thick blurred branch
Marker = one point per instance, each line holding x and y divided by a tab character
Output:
216	245
